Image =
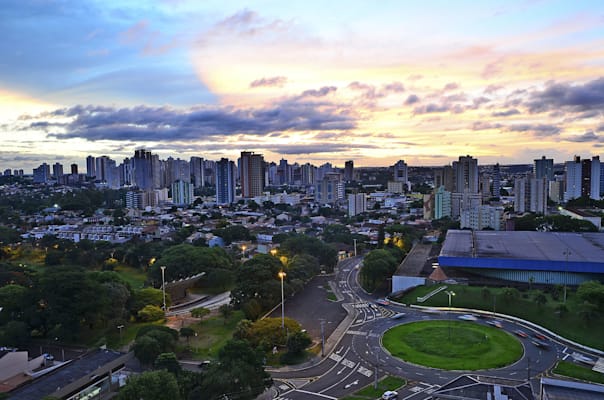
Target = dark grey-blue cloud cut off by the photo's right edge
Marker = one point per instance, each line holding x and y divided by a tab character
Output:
588	96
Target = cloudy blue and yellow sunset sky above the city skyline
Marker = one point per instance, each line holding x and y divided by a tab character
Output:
308	81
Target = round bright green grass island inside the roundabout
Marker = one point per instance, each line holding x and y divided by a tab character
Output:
452	345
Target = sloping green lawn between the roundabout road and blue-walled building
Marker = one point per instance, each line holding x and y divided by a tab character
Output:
569	325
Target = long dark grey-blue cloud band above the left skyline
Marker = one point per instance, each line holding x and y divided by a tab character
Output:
145	123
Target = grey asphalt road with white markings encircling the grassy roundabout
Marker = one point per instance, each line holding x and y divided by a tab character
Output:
358	358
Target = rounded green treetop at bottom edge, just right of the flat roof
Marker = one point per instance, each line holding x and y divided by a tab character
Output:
152	385
